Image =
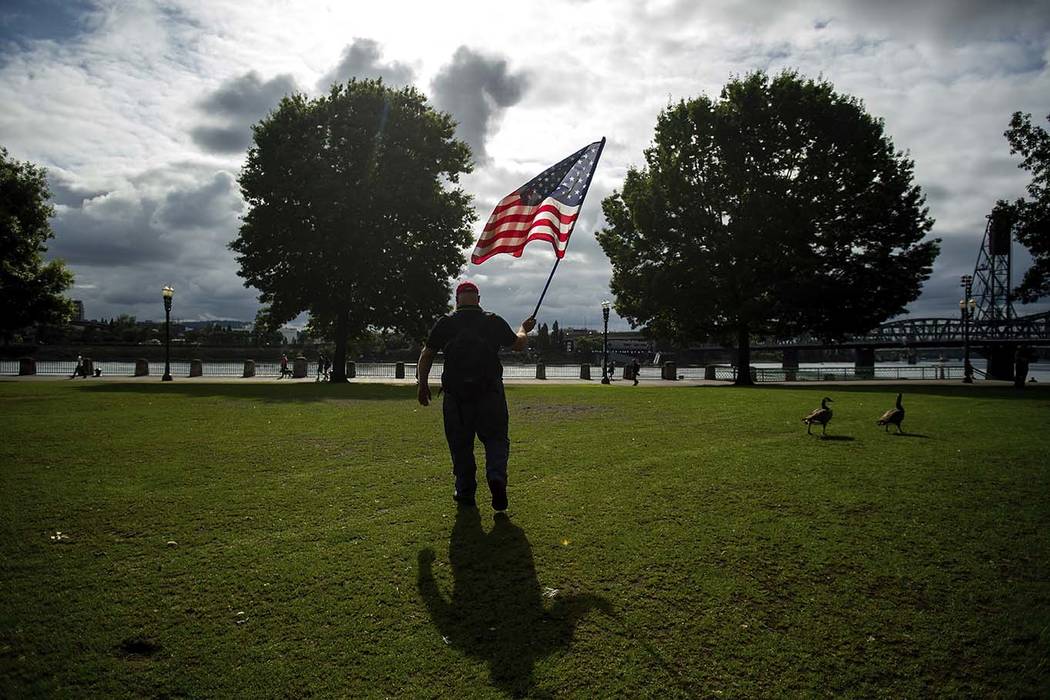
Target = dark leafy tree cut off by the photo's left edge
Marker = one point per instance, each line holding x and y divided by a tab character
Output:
31	290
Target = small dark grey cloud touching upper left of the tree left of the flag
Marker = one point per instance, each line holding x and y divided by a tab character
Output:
235	107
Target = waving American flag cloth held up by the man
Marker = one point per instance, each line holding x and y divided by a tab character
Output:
545	208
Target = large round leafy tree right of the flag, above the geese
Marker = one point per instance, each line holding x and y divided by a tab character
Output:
780	208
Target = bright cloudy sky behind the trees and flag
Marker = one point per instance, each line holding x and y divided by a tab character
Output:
141	113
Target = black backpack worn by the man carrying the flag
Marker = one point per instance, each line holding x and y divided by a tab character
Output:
471	360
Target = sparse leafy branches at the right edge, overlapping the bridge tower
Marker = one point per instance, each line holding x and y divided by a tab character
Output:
1033	217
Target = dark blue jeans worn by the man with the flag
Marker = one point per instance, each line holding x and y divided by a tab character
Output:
487	418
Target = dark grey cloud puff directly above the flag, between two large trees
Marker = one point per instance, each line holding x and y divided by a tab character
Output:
476	90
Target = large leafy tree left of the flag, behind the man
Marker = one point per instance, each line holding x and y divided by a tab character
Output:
354	213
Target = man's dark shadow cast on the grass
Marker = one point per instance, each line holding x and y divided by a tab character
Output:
497	612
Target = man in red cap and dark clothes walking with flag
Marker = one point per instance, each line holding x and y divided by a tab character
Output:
473	385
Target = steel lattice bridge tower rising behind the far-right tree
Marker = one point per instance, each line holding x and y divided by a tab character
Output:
992	275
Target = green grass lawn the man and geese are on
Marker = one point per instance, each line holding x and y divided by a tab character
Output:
267	540
